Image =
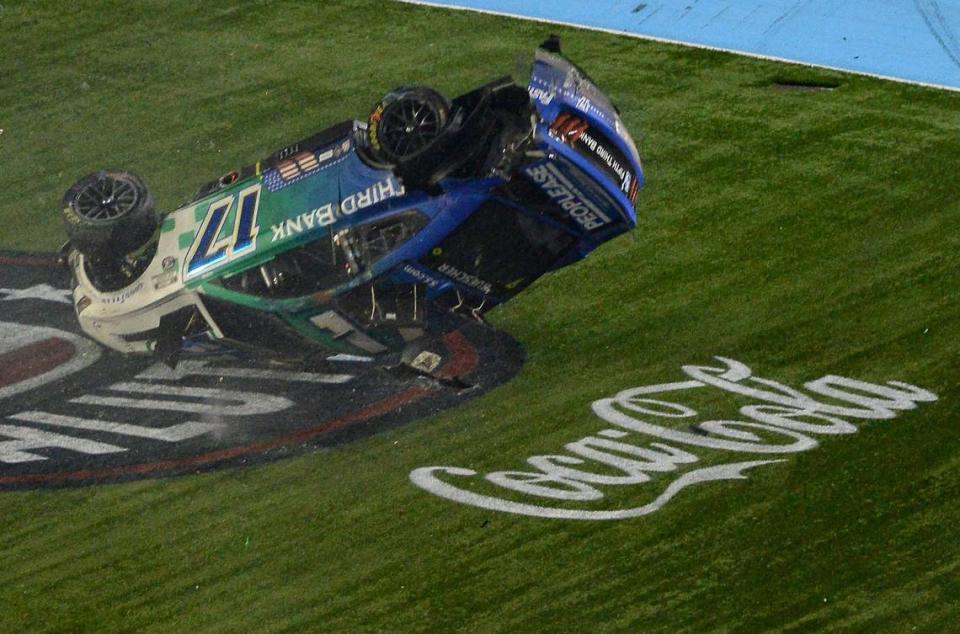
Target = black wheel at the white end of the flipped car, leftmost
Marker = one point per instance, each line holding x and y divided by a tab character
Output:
109	215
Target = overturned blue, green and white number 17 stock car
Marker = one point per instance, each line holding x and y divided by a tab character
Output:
366	236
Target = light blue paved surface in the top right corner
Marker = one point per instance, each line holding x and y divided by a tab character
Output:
908	40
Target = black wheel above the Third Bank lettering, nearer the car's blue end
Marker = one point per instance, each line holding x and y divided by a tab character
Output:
405	123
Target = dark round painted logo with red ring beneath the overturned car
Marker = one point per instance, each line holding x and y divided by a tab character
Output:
73	413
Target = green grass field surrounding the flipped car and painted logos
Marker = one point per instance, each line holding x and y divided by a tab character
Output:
803	233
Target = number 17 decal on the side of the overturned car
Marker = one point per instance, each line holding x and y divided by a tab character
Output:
209	250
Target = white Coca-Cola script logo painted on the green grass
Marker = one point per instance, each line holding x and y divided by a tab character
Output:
784	413
